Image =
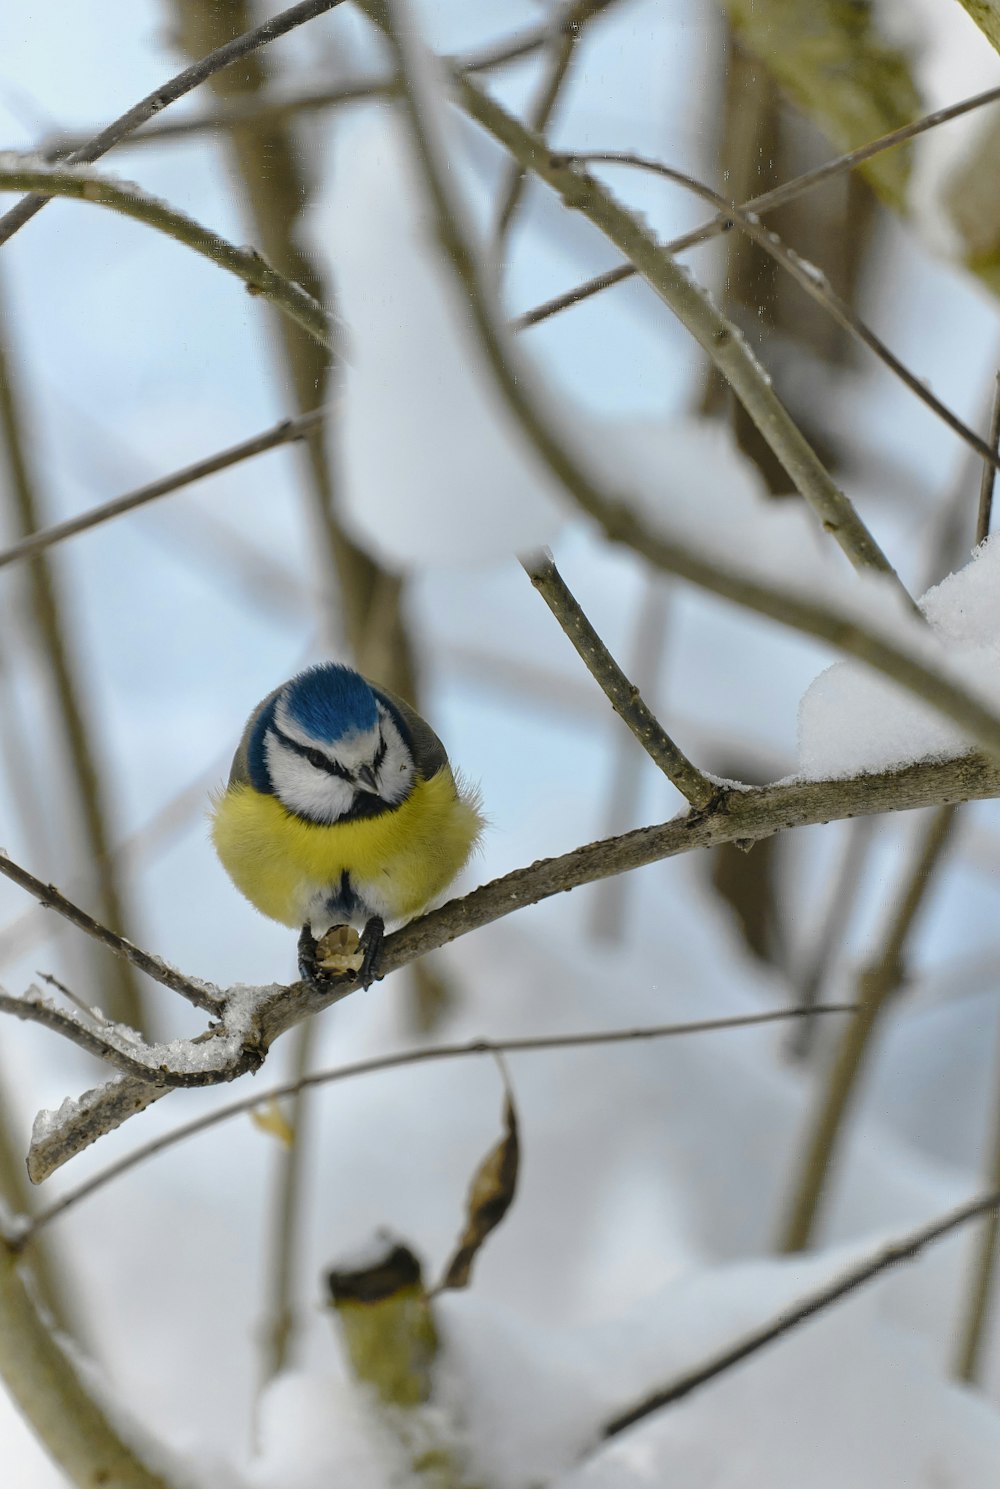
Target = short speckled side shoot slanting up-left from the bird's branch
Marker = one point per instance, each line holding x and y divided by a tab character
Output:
620	692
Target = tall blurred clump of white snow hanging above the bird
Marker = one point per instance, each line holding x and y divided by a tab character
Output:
435	468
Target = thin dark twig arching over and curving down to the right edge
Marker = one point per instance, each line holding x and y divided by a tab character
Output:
810	279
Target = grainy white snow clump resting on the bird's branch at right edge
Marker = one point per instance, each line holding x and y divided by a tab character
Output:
852	720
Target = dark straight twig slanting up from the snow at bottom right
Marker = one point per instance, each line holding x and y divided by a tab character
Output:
904	1249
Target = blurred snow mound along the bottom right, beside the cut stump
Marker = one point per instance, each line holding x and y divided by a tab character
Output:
519	1403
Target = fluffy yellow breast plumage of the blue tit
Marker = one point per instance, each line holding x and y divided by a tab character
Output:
407	855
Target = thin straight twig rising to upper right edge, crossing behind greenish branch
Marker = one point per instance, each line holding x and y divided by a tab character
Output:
778	197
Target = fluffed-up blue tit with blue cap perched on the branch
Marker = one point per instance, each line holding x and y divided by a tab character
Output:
342	811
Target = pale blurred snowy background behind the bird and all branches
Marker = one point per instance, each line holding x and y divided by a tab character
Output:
656	1177
